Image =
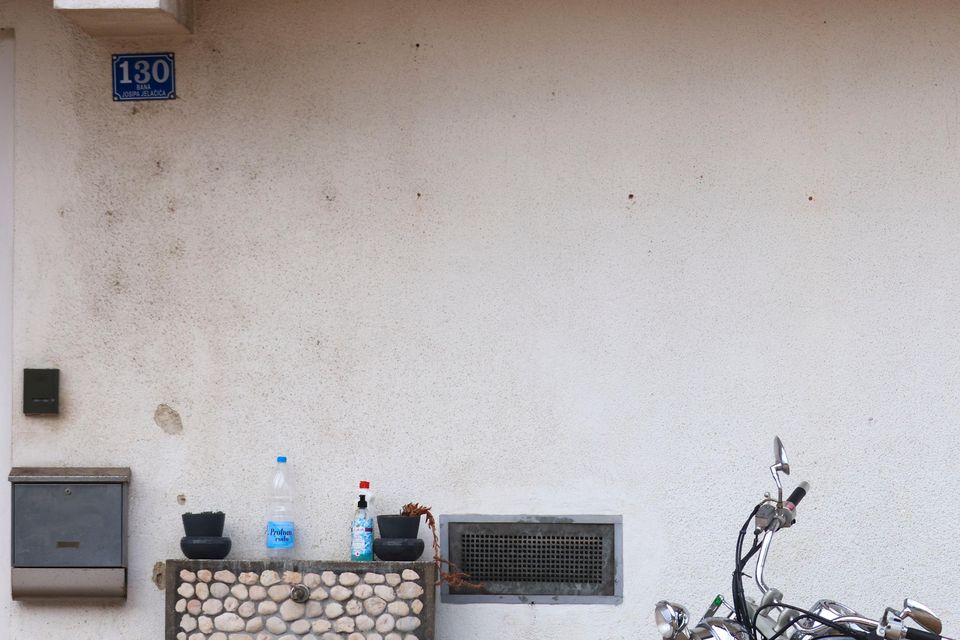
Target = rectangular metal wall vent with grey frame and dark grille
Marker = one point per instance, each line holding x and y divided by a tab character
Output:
535	559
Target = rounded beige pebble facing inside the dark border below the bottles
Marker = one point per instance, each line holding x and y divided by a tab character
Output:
258	606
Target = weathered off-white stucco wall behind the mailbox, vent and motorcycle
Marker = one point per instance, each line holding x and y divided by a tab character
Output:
396	241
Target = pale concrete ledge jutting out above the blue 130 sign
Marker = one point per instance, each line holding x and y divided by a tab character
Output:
124	18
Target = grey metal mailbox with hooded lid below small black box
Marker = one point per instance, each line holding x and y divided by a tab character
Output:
69	532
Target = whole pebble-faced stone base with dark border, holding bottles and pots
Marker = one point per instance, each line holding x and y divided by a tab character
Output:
250	600
